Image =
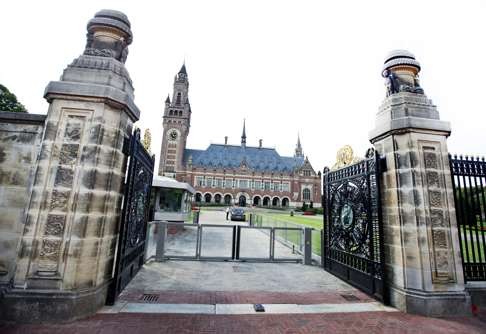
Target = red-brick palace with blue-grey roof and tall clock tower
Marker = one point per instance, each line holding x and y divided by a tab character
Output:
233	174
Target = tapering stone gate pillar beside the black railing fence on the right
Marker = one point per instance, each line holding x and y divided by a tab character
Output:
421	244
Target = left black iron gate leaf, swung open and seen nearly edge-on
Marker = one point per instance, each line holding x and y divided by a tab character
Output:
131	241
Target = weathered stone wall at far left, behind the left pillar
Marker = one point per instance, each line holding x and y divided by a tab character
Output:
20	138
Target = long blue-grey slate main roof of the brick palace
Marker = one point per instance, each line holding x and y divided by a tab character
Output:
260	159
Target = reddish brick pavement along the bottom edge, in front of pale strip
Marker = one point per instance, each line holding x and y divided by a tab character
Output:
365	322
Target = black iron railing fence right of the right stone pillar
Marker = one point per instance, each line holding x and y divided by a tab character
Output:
469	182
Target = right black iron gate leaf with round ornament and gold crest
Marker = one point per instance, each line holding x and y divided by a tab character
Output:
353	236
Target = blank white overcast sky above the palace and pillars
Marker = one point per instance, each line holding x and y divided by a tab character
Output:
311	67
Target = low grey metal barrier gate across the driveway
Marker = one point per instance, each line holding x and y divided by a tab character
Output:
207	242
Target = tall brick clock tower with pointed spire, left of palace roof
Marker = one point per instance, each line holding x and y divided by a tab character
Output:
176	123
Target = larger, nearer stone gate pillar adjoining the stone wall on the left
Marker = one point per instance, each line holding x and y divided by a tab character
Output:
65	260
